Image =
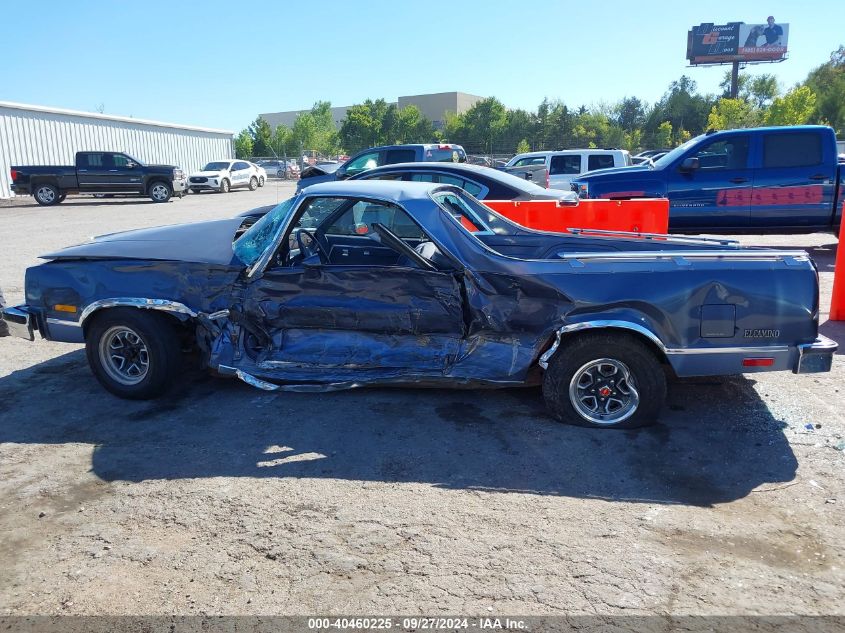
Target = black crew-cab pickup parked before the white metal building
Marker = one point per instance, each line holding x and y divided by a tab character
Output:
98	172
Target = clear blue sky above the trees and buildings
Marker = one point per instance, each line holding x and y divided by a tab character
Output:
219	64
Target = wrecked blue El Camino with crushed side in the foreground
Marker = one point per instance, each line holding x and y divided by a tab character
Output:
382	282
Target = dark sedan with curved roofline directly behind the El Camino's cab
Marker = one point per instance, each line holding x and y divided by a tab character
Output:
481	182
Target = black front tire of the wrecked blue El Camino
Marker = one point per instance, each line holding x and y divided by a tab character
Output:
161	348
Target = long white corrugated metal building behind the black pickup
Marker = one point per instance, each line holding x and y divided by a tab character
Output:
35	135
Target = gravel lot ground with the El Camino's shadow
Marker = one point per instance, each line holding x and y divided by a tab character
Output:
221	499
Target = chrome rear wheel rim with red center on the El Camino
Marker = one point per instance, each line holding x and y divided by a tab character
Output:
603	392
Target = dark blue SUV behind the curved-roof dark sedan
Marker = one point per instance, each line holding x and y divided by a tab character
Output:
378	156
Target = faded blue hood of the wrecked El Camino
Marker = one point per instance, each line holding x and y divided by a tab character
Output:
201	242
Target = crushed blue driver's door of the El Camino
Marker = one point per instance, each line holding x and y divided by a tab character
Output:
350	290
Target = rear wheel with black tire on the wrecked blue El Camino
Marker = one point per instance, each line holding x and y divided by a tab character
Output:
587	364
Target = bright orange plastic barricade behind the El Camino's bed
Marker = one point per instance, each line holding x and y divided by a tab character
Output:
644	215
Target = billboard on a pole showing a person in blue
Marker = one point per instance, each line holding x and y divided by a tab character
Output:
737	42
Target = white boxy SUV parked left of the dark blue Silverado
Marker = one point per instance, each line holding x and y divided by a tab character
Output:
563	165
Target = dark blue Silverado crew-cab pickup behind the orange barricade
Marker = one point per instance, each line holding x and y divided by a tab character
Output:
769	179
